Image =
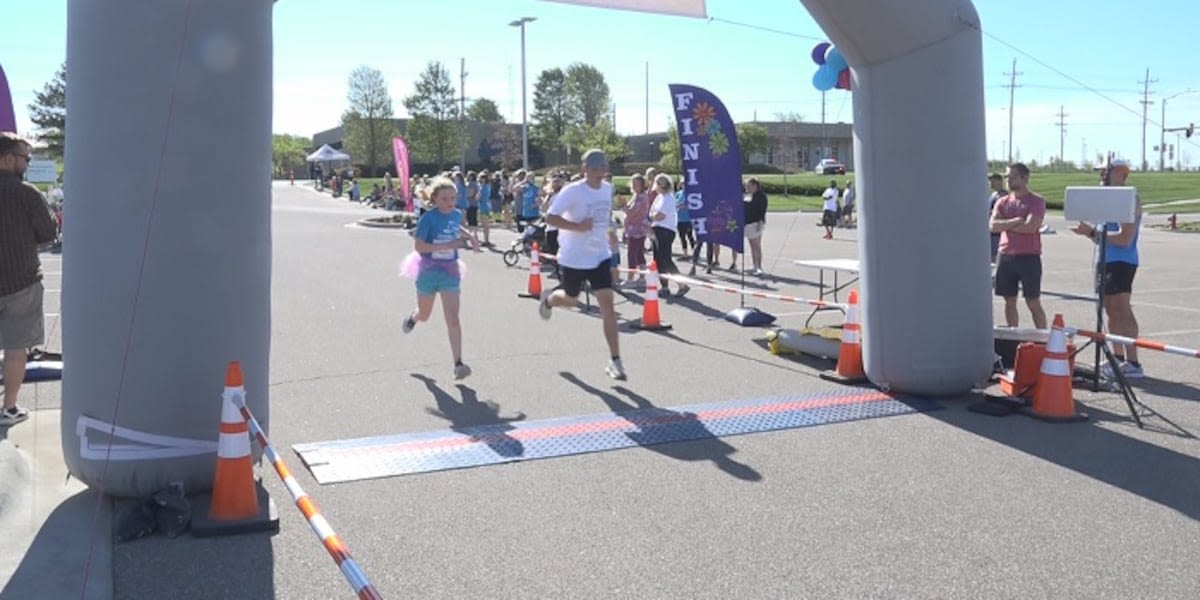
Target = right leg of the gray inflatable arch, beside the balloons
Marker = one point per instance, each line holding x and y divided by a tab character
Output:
921	154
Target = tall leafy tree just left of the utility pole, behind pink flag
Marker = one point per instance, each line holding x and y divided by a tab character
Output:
435	134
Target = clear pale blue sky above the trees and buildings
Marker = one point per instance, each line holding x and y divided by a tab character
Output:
1066	46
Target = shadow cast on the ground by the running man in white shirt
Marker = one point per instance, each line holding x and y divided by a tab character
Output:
655	424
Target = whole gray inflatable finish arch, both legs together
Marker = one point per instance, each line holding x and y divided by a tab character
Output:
175	278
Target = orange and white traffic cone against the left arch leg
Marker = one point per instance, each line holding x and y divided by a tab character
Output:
238	503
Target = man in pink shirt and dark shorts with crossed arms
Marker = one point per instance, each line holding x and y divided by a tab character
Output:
1018	220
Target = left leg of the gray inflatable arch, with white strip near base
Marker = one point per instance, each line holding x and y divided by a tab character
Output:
169	242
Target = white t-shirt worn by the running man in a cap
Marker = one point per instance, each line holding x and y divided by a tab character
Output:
577	202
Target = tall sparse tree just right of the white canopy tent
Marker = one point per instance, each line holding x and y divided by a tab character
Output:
368	123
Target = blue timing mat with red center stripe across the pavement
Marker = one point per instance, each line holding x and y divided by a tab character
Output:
352	460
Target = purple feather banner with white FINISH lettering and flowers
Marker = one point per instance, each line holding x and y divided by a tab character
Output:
712	159
